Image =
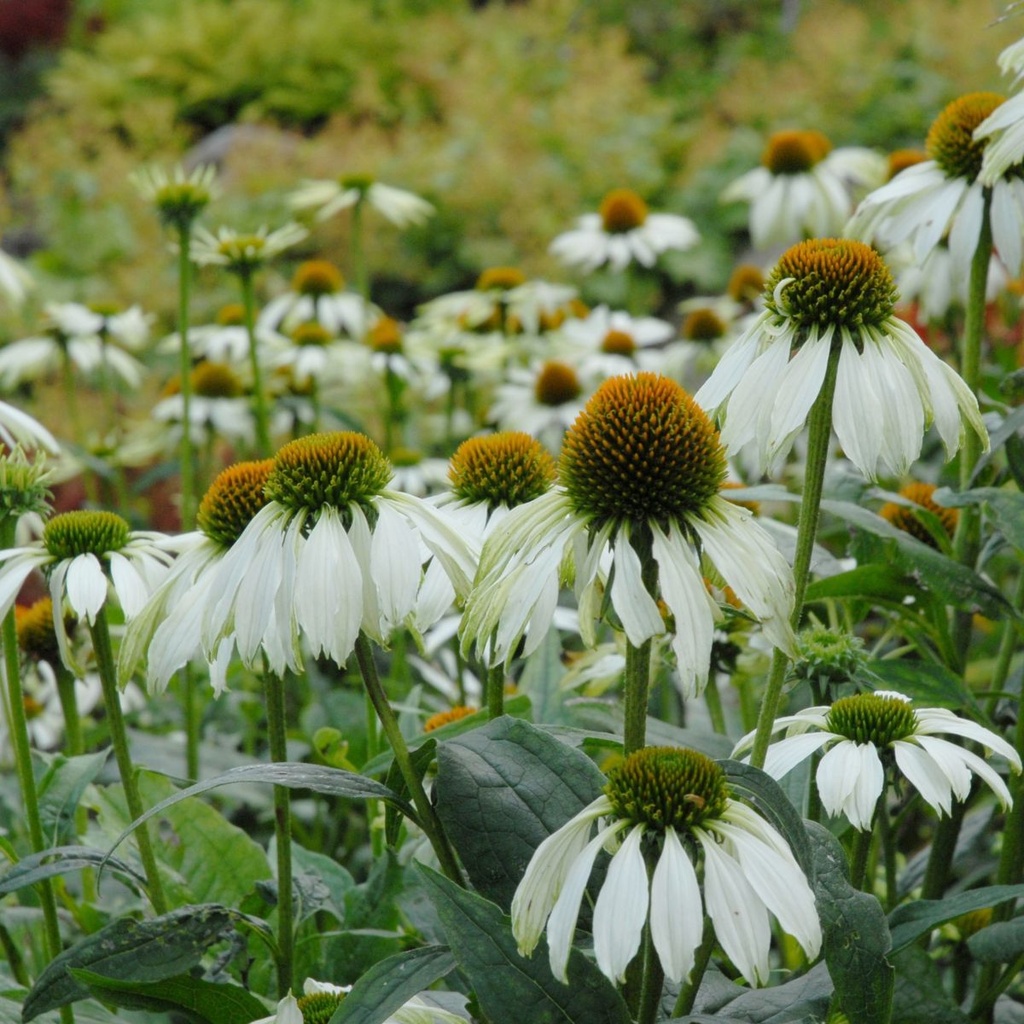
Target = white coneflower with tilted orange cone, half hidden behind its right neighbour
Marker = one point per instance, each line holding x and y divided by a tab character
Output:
169	629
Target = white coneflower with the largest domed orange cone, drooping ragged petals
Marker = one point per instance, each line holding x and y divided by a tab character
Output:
639	476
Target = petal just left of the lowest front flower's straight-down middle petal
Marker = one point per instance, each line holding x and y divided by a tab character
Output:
622	909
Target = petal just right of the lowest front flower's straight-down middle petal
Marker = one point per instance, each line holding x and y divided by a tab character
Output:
740	918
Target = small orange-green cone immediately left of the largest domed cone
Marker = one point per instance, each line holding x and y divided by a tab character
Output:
507	470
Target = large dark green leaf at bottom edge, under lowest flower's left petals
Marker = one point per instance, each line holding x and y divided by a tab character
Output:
511	989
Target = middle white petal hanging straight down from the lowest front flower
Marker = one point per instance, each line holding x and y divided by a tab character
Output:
676	910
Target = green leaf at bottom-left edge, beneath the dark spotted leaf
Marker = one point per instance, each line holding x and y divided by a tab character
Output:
201	1001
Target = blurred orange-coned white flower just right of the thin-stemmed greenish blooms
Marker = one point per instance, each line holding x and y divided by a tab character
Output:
319	295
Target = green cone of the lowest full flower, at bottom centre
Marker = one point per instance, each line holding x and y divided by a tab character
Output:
660	787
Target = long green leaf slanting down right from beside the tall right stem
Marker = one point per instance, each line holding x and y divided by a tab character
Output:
955	584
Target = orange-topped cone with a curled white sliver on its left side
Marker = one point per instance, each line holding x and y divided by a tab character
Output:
832	283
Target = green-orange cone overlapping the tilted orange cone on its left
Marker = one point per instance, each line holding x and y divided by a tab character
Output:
337	470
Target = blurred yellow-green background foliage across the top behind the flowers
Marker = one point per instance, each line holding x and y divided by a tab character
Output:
513	118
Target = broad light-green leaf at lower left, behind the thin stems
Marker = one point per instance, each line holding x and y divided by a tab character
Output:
219	861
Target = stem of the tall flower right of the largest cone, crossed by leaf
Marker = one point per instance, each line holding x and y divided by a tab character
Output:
820	434
